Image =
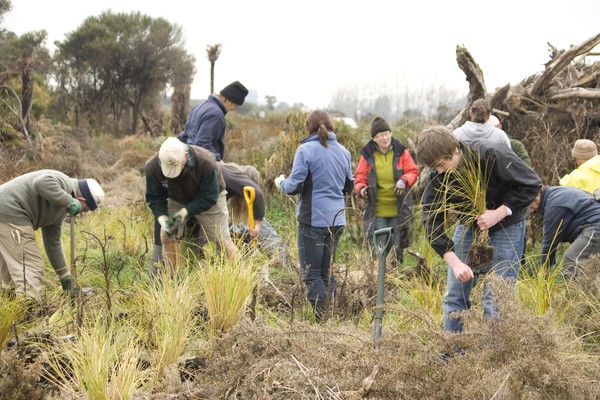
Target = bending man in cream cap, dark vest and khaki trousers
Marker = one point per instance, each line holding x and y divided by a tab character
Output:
183	182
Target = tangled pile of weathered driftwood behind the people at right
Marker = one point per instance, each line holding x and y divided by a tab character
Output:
547	111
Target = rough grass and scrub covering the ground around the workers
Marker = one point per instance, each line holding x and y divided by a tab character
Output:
216	331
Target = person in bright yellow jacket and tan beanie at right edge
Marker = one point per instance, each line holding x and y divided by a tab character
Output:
587	174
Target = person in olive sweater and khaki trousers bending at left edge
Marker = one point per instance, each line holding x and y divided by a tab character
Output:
39	199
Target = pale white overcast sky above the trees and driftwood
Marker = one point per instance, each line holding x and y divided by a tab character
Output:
305	51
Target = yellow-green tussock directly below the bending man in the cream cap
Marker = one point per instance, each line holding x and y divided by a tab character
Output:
166	316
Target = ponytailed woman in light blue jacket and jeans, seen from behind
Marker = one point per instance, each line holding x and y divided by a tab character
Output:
321	176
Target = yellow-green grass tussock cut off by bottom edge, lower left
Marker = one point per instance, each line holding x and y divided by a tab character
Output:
100	364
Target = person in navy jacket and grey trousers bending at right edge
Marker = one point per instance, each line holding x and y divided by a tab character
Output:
571	215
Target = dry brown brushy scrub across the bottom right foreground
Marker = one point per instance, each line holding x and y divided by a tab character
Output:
518	356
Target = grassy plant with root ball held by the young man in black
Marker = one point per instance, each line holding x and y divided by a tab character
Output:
468	184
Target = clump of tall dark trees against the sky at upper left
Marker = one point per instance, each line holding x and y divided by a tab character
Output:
110	74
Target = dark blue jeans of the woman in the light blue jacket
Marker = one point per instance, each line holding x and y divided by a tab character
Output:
316	251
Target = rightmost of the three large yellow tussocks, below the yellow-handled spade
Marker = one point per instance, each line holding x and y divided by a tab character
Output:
227	285
